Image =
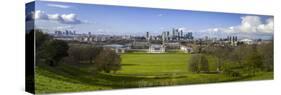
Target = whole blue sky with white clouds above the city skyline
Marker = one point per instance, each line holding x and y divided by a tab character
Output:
116	20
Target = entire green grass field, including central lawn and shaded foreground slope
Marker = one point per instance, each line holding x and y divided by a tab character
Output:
138	70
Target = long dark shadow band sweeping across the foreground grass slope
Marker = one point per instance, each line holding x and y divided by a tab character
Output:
73	74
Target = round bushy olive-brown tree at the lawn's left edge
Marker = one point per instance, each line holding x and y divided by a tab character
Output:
108	61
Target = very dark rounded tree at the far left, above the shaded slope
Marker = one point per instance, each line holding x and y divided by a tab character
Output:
53	51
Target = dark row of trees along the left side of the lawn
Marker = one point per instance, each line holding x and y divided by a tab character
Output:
53	52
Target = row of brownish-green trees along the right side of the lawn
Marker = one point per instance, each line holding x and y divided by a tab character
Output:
235	60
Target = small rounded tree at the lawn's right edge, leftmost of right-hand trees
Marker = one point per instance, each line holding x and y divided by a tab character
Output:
198	63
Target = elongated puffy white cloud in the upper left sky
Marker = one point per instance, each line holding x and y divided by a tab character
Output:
61	18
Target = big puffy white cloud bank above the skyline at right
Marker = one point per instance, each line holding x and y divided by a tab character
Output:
250	27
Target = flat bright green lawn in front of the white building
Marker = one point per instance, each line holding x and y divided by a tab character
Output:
143	64
